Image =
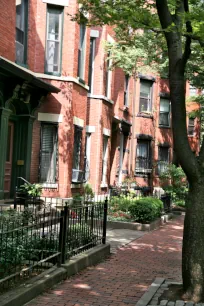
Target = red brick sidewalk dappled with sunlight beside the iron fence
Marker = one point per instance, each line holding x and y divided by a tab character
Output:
122	279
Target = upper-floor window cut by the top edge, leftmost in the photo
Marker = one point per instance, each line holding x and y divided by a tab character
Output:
21	30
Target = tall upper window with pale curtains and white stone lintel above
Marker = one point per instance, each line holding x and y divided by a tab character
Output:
54	40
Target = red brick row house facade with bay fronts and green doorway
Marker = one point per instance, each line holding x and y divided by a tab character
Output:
65	118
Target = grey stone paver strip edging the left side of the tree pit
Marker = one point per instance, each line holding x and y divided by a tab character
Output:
147	297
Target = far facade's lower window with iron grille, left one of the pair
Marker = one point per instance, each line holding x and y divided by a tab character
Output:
143	160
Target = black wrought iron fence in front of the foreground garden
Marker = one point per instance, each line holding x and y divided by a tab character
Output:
32	240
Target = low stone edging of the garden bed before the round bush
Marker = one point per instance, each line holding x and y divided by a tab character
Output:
138	226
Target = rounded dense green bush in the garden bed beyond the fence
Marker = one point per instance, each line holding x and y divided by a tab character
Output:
146	209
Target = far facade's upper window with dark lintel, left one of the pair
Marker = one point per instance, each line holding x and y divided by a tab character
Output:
145	96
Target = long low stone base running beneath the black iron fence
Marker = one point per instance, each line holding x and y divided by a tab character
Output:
37	285
